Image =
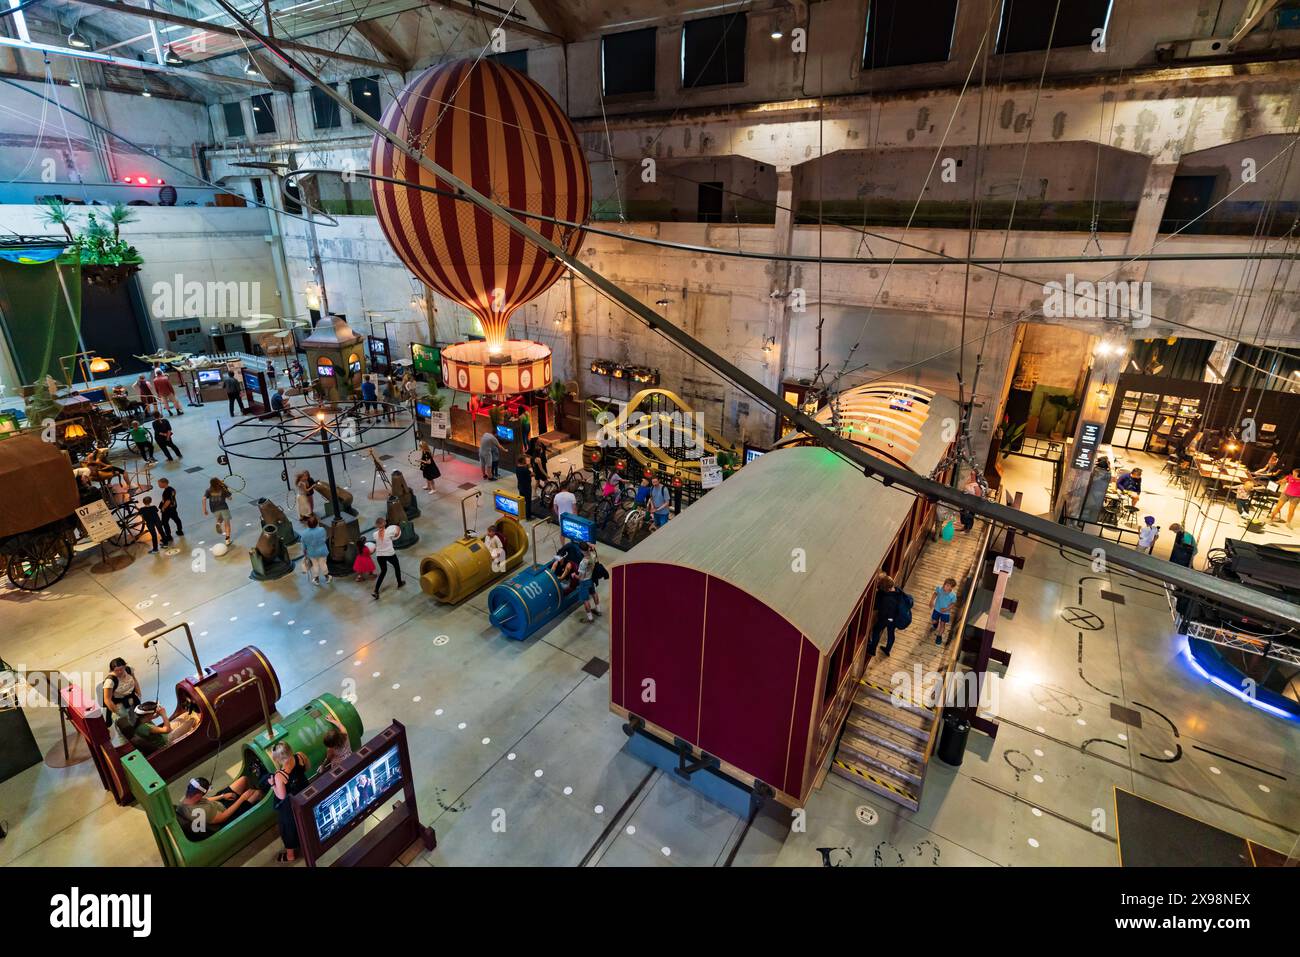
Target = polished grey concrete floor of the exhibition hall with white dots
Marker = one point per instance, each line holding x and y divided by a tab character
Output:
518	760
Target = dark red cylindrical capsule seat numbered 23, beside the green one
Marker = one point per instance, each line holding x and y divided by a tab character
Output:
226	701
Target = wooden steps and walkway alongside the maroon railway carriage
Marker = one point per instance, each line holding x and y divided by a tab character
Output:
891	730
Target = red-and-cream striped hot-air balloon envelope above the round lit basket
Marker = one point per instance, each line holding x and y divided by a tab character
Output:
504	135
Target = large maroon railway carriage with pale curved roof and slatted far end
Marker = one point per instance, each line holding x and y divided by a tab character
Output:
742	626
